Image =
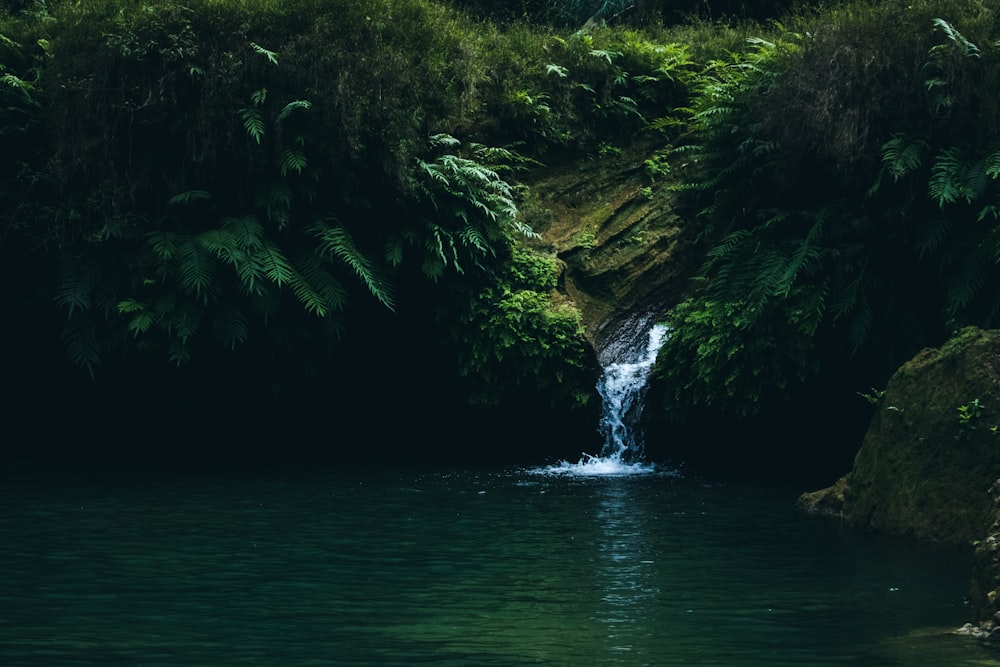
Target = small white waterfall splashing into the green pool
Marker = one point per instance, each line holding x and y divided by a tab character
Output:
622	388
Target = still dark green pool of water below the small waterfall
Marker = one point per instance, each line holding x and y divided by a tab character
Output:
462	567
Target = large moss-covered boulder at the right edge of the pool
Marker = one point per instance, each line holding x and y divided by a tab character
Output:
932	450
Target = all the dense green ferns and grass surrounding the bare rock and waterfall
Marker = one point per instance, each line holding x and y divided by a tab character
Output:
266	182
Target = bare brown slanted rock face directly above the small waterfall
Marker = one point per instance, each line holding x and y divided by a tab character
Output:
627	255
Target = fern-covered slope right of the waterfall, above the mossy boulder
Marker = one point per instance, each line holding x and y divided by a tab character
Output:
806	173
